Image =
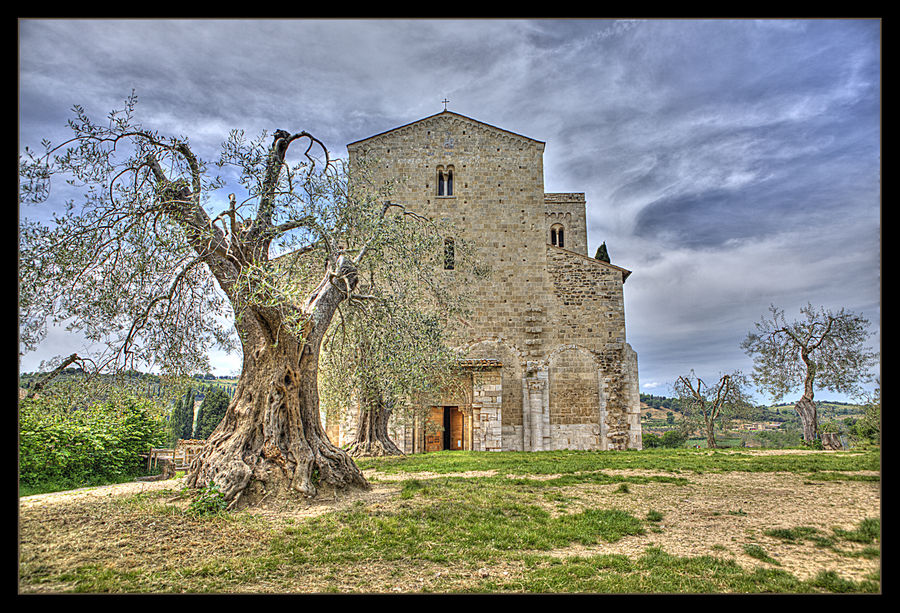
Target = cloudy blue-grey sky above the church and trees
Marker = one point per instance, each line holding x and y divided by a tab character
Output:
729	164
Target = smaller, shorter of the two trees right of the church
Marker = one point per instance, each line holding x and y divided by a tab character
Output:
711	405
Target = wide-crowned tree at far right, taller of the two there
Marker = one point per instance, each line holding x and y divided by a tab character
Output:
825	349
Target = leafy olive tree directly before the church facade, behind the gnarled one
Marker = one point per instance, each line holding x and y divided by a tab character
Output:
390	355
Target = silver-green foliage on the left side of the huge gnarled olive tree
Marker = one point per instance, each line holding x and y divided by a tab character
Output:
117	265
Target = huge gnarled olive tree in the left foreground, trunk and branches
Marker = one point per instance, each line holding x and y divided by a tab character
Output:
141	267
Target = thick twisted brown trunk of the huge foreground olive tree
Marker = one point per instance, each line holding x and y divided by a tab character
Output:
271	439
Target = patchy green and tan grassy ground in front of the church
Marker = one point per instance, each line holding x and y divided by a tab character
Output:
654	521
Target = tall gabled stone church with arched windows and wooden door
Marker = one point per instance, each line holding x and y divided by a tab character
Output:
546	361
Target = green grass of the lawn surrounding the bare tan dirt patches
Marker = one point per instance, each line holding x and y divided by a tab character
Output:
501	531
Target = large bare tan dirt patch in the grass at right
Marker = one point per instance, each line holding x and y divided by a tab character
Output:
716	514
